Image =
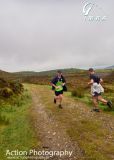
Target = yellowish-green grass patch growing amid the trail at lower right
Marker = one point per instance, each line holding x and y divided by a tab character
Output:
90	137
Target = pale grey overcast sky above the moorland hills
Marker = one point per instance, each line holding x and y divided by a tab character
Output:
48	34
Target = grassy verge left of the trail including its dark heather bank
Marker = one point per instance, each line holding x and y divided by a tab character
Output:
15	126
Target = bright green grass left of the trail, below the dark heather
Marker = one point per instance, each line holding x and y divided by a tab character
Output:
15	126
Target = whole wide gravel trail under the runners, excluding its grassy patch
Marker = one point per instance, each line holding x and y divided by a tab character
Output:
53	134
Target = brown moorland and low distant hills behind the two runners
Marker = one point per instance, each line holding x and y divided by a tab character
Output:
73	76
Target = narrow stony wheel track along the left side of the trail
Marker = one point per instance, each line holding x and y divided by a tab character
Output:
53	137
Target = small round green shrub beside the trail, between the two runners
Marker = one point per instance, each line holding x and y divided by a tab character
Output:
79	92
